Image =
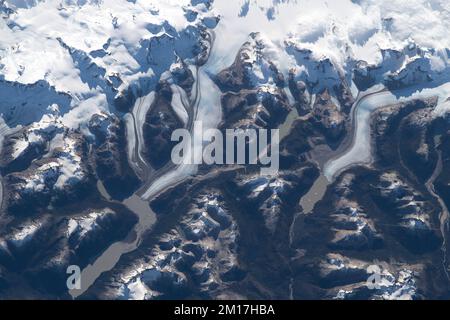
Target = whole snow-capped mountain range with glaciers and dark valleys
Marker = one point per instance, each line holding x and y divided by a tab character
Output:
90	91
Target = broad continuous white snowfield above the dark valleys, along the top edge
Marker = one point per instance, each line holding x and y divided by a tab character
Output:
84	54
